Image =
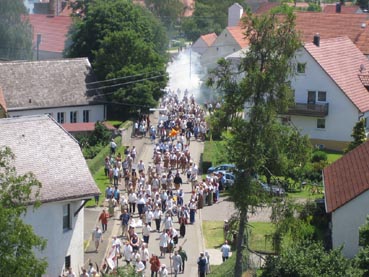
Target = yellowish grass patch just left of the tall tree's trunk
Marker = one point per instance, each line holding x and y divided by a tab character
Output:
213	233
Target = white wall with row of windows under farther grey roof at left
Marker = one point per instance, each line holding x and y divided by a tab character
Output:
97	112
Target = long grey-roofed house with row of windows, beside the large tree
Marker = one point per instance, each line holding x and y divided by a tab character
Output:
59	88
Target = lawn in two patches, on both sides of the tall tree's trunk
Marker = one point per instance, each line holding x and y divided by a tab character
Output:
259	237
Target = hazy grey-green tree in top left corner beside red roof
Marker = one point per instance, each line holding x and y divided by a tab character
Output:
15	31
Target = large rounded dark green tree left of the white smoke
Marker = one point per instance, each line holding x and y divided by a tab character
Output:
126	43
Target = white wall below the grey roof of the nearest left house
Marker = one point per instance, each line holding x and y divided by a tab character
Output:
47	222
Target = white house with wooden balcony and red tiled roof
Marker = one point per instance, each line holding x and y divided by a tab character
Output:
331	91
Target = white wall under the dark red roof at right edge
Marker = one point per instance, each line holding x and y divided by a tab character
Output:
346	222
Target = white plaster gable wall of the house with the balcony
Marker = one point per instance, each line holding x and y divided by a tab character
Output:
342	114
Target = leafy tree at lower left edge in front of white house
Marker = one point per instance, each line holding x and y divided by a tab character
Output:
17	239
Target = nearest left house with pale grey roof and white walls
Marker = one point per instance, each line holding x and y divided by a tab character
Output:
42	147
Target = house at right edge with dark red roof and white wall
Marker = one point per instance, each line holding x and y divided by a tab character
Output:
346	186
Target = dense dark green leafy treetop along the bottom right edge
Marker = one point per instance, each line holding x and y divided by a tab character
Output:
309	259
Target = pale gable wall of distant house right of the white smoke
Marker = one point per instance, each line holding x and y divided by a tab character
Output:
224	45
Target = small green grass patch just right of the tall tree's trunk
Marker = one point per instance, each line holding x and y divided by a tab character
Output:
260	237
